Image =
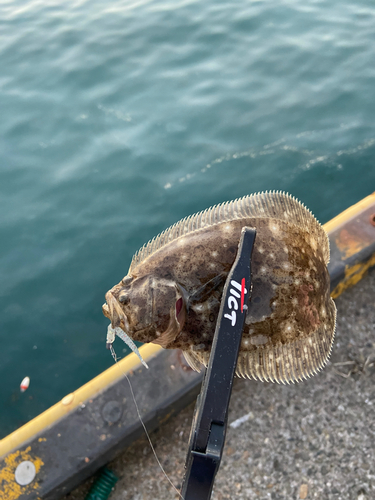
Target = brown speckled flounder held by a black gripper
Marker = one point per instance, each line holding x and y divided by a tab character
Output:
171	294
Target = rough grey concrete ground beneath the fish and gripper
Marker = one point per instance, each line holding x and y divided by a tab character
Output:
313	440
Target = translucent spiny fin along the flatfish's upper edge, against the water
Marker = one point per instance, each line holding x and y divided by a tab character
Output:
275	204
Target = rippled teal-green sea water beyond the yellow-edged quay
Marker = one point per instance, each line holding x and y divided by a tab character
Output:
118	118
